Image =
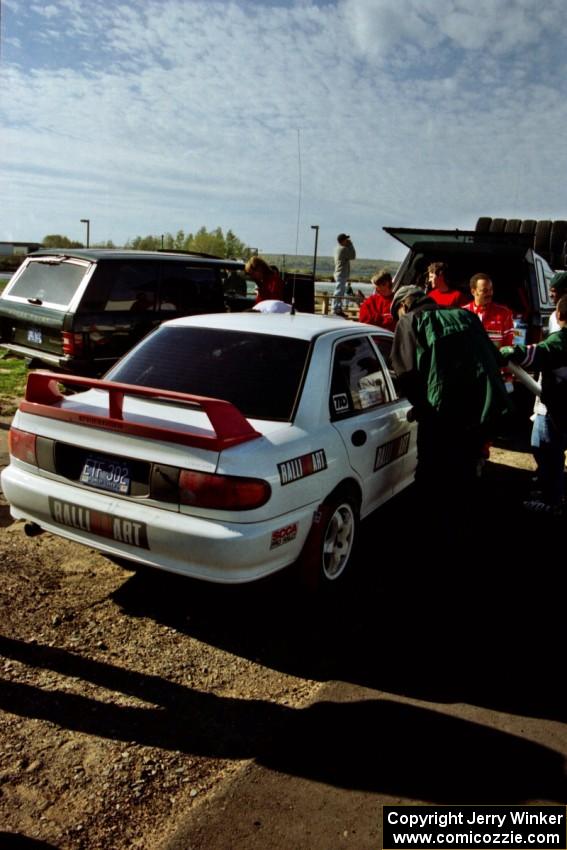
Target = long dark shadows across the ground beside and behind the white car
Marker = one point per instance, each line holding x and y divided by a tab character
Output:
448	606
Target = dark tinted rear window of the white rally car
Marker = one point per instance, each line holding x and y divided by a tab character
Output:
260	374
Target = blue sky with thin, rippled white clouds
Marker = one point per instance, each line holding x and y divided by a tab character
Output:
147	116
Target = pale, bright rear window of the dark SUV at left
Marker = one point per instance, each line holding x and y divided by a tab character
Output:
49	281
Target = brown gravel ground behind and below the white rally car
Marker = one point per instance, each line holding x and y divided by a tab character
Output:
127	697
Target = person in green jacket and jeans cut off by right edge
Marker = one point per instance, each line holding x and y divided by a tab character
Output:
549	432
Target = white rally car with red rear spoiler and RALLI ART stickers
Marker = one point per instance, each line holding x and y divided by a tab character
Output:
223	447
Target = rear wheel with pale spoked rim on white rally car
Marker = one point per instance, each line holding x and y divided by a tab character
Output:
328	555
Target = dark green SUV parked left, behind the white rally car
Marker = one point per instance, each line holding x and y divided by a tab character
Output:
81	310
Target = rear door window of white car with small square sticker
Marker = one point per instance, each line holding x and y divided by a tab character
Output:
358	382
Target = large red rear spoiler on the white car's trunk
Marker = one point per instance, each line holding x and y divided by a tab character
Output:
43	397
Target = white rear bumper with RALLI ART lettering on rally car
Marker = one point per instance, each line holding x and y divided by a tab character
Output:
223	552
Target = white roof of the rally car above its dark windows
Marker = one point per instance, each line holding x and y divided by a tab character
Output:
305	326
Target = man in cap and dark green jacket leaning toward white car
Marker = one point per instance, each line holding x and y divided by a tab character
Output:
448	369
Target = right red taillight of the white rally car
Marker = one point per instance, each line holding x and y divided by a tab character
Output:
224	492
